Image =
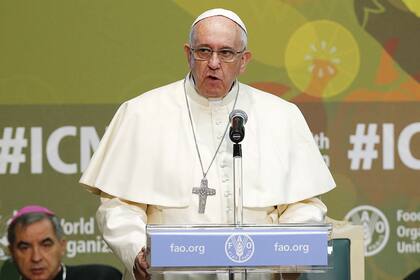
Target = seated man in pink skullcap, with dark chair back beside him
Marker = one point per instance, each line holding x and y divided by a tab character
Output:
37	245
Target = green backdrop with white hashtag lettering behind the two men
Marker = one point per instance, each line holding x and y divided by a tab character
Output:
352	66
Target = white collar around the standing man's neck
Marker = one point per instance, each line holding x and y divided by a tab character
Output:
196	97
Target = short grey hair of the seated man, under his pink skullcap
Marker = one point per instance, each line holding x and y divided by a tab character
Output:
30	218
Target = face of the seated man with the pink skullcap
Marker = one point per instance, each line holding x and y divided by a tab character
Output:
37	251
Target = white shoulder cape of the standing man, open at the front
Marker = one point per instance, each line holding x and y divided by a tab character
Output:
147	153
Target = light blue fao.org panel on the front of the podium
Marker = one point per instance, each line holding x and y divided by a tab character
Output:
209	249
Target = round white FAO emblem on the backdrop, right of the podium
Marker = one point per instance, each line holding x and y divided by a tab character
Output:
375	227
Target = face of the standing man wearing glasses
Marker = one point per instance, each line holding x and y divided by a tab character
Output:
214	78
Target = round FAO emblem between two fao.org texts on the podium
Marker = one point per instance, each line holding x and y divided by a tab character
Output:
239	248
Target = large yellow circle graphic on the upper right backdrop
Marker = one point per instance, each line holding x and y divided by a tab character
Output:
322	58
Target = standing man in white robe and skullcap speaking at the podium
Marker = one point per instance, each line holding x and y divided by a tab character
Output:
168	141
